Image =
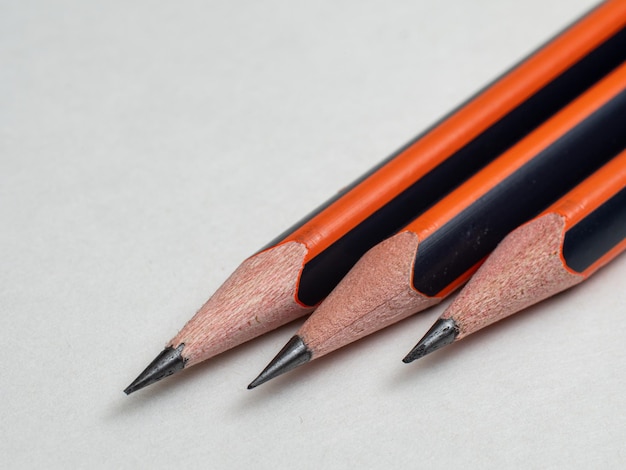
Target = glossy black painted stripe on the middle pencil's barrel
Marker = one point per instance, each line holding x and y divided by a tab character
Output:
474	233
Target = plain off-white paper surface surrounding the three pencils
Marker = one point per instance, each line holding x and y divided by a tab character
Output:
147	148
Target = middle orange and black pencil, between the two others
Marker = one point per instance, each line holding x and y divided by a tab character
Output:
439	250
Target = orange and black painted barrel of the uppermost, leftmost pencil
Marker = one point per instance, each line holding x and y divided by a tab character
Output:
433	164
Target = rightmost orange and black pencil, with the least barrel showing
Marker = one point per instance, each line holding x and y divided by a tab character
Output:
560	248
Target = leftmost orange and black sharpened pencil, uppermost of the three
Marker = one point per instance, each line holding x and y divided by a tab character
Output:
294	272
